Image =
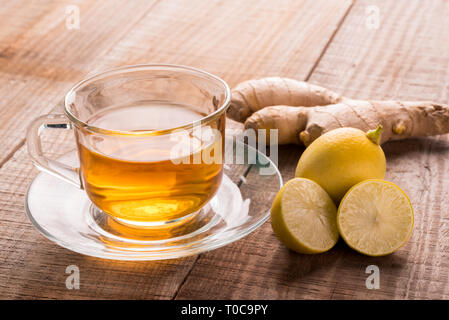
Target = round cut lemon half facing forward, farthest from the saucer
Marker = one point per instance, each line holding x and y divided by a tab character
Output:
375	217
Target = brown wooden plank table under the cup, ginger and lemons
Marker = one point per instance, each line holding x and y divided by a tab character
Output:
363	49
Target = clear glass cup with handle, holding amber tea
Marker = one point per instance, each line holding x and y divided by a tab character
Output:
150	140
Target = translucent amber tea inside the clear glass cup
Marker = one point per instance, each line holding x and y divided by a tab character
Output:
137	178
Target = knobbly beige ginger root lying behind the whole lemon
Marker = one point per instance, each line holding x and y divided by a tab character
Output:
302	112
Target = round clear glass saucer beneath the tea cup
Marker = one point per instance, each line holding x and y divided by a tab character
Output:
65	215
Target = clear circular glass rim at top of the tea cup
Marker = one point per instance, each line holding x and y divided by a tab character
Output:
224	105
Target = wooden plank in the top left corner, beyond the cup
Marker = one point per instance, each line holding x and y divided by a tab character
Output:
40	58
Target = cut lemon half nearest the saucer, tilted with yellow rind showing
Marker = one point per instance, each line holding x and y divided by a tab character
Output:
303	217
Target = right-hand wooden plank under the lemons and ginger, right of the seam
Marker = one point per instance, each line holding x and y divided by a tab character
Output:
407	57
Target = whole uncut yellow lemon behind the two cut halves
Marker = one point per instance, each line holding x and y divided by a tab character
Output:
341	158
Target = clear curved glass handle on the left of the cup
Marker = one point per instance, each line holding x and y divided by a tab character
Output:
55	168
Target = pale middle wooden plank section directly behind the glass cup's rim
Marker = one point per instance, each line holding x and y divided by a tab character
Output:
238	40
